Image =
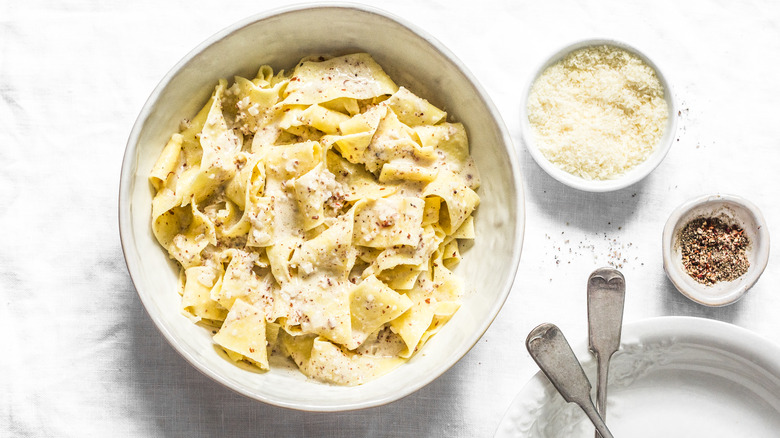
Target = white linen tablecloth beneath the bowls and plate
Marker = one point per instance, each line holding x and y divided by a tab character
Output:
81	357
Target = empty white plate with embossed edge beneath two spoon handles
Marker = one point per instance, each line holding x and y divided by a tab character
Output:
673	377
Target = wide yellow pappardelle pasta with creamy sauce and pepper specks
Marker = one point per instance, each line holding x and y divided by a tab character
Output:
317	216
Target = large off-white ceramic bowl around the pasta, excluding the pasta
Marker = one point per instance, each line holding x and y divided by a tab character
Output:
413	59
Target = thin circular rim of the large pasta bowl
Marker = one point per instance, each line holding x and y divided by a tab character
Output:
129	171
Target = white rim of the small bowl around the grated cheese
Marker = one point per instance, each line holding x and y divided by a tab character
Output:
632	176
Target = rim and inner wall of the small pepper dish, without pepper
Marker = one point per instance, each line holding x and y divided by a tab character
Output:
761	256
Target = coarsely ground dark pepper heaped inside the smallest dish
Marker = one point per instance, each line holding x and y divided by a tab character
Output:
713	251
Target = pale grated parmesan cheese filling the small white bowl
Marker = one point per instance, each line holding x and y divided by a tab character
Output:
598	112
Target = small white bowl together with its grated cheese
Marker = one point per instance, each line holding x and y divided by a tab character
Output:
598	115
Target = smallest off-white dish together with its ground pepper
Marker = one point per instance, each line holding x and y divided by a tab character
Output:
715	248
